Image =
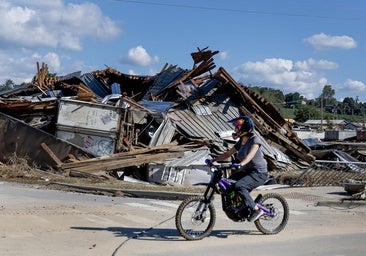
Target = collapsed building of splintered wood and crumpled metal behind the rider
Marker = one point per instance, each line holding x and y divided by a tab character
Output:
159	128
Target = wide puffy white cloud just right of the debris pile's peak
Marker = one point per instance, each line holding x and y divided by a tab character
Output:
304	77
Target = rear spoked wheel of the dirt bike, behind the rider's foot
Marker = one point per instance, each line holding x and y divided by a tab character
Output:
278	205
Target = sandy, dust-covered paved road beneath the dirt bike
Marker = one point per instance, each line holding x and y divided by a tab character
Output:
35	221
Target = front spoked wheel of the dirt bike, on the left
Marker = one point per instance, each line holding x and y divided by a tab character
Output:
195	219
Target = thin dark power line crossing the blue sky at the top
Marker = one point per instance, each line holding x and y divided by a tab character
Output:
235	10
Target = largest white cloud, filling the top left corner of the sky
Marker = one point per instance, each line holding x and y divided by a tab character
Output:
36	24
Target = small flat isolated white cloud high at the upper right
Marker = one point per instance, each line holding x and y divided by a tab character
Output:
323	42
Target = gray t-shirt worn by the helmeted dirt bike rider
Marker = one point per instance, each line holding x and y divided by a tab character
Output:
258	162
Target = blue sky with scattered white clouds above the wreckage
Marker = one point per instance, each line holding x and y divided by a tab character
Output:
293	46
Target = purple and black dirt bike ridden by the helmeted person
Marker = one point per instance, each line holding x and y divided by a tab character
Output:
196	215
